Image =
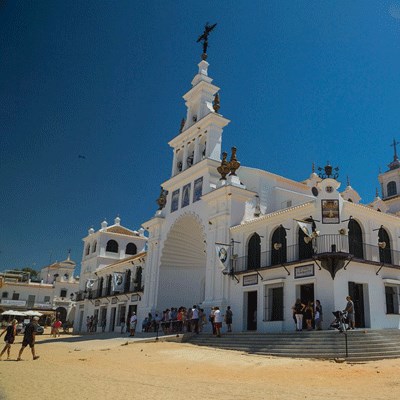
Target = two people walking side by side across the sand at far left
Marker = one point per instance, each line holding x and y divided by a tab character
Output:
29	338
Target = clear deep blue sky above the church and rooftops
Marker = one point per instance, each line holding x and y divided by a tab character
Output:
91	92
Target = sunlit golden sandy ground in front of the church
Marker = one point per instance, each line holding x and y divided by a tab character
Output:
73	367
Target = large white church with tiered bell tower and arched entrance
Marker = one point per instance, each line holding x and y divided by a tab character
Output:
339	248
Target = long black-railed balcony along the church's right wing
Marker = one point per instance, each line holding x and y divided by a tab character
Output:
322	248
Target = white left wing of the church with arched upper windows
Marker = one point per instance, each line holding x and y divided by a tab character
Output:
108	251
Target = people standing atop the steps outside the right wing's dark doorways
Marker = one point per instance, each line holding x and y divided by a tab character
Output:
312	314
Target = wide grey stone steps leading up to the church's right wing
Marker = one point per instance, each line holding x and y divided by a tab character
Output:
362	344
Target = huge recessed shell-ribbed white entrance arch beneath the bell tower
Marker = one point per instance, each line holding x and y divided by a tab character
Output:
183	262
